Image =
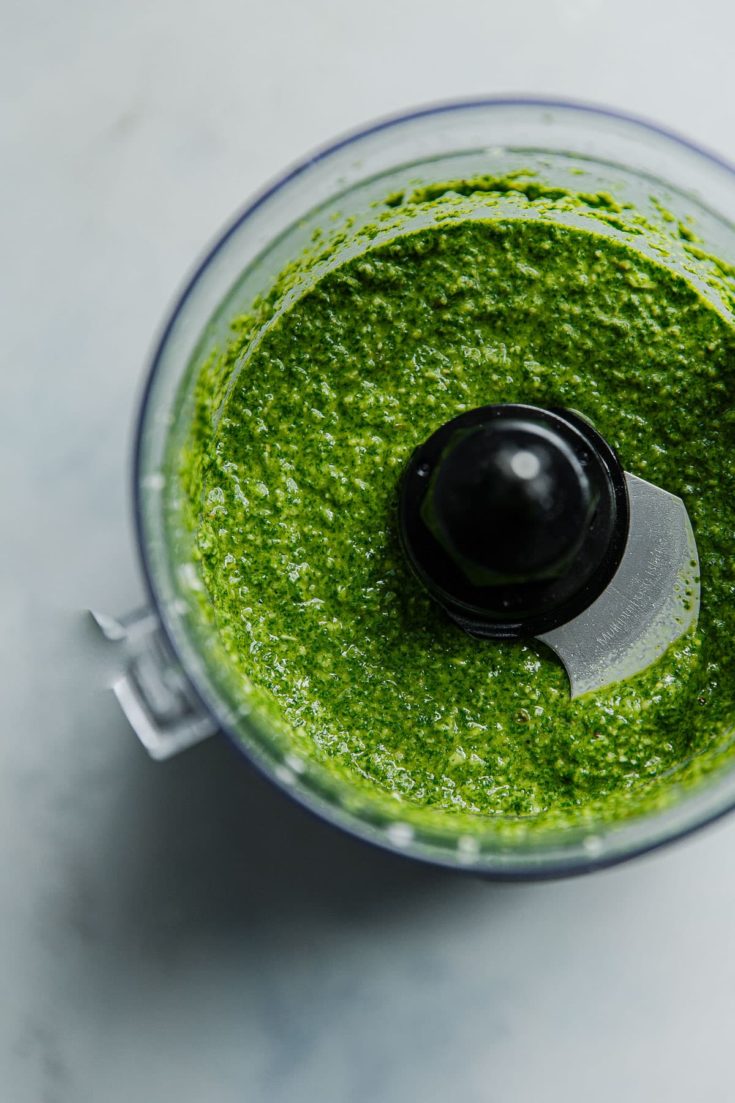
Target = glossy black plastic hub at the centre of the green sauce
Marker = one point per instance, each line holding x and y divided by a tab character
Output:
515	518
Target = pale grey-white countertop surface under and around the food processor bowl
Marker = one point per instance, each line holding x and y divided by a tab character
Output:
183	933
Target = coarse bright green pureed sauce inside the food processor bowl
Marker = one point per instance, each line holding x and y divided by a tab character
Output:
304	427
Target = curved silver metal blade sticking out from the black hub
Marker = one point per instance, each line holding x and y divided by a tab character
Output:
653	599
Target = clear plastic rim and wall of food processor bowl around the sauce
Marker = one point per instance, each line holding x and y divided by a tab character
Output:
622	156
